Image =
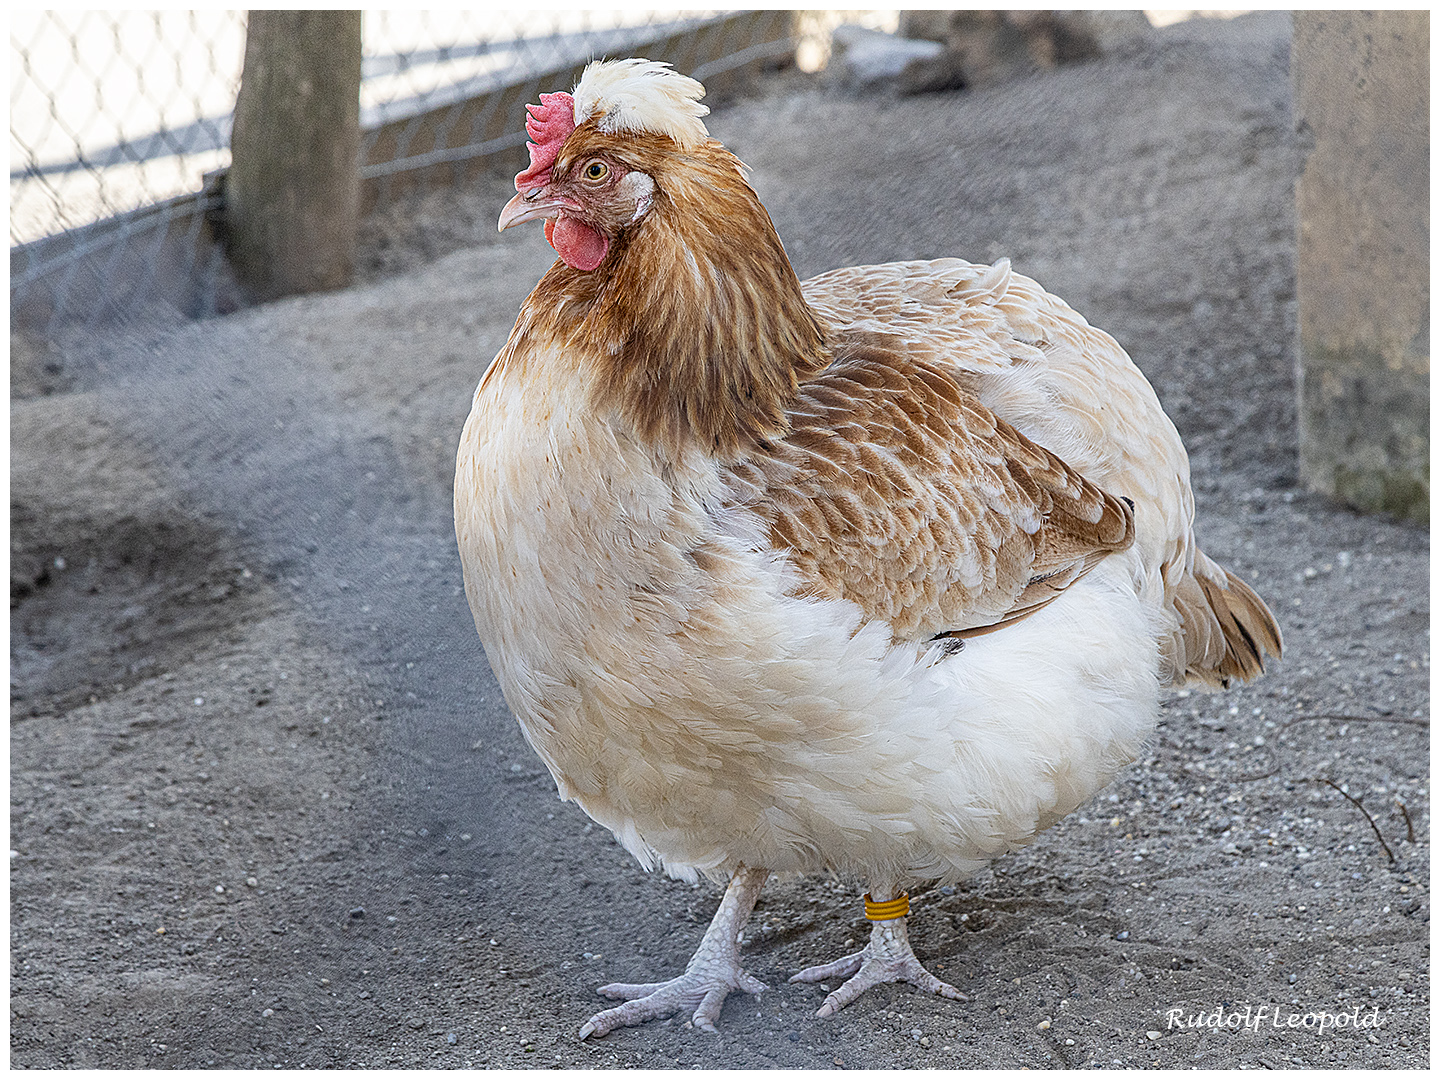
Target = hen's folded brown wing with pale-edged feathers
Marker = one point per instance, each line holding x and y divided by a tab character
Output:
898	490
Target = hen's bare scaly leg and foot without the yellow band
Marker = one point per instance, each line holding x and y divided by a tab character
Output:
709	978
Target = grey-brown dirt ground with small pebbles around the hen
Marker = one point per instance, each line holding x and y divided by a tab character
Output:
269	809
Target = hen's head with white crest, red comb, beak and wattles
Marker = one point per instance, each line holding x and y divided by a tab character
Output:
581	181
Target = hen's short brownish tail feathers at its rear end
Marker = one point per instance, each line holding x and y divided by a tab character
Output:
1226	631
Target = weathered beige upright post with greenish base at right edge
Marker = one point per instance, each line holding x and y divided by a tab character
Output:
1362	106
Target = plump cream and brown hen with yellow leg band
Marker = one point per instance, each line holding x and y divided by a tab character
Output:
878	575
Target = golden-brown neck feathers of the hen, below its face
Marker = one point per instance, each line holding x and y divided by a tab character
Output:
698	316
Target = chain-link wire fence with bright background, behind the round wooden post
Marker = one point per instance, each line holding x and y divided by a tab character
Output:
119	117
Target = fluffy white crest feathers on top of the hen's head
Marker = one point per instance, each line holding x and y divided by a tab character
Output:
643	97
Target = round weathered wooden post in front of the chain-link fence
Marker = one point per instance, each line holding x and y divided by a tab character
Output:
293	189
